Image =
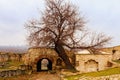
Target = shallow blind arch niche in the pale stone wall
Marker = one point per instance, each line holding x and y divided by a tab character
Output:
91	65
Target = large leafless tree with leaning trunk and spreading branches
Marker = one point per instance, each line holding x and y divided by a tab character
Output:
60	27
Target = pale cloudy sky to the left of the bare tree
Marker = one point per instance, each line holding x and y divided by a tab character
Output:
13	15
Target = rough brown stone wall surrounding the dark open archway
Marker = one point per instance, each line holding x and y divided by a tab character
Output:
35	54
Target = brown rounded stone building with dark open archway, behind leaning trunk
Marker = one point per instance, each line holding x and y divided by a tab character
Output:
44	59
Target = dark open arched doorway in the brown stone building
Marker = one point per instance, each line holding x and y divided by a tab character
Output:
44	64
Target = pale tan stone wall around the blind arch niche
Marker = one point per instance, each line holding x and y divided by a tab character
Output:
102	61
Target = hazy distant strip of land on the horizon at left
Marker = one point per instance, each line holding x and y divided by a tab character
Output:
14	49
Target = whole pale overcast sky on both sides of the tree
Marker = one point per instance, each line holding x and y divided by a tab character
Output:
101	16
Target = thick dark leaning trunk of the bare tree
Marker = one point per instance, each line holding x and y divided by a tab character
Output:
61	52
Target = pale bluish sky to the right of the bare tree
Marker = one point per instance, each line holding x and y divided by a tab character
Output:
102	16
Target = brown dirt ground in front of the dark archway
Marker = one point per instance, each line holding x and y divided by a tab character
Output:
35	76
